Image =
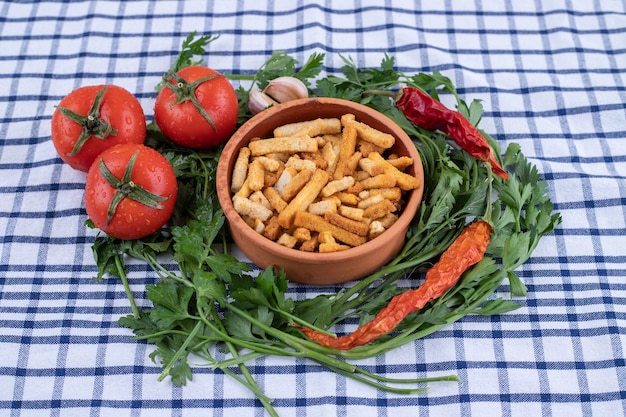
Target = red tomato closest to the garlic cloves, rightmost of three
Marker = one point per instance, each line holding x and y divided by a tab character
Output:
179	119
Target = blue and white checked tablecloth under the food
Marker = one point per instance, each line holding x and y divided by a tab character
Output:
551	75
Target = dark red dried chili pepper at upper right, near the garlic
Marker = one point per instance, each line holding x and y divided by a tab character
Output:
430	114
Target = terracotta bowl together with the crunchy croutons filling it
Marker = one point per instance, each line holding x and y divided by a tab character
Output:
323	188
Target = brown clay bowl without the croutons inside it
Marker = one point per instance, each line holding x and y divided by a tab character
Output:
306	267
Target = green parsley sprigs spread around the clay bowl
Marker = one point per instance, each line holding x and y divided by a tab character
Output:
208	304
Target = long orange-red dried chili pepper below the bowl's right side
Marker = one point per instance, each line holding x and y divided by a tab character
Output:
467	249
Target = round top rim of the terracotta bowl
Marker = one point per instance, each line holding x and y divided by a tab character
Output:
235	221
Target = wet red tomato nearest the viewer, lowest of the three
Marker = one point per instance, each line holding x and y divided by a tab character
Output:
131	219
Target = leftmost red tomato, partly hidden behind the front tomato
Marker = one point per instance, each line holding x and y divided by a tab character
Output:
118	119
